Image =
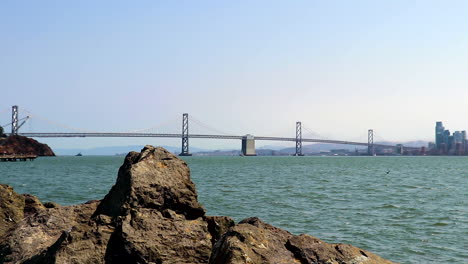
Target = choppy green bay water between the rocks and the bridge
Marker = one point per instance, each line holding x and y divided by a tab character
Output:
406	209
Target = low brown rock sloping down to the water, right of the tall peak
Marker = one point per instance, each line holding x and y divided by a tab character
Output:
253	241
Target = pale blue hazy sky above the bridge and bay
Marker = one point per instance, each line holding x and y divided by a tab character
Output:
340	67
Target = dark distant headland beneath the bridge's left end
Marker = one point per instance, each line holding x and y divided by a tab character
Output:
19	145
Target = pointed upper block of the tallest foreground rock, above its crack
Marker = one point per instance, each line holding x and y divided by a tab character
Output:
155	179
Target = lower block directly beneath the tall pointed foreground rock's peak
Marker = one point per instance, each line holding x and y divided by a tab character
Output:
149	236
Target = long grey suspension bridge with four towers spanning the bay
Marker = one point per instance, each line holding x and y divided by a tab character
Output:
247	141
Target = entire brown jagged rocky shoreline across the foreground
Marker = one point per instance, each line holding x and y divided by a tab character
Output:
151	215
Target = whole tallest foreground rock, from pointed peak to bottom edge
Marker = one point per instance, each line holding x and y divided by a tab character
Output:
150	215
